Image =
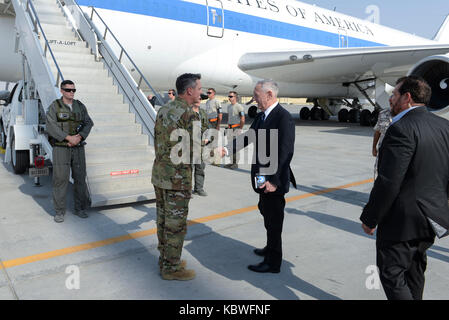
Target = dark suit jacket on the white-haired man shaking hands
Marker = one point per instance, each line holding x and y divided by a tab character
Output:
281	120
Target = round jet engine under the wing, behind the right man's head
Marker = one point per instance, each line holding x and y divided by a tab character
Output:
435	70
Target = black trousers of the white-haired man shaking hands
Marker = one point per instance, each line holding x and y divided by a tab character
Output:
272	207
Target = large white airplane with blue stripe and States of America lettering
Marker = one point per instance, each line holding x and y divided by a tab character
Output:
309	51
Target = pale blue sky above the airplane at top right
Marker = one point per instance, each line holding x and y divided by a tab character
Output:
419	17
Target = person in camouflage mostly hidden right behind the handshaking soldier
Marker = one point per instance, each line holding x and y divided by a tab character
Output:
199	165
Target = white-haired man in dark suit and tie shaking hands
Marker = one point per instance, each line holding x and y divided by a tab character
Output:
273	177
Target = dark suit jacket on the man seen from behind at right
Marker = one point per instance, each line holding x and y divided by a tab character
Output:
412	185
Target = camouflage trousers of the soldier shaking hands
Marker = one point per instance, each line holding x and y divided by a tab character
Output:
172	209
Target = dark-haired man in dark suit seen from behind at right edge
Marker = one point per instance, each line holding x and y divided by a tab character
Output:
408	203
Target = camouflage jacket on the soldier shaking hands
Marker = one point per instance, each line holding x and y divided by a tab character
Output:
173	170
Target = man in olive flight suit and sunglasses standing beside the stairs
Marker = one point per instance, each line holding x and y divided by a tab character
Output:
68	125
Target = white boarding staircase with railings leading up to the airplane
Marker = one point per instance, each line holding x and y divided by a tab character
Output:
119	151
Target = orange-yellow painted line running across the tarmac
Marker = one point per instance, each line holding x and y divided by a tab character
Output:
145	233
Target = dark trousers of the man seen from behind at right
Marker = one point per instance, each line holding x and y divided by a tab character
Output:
402	266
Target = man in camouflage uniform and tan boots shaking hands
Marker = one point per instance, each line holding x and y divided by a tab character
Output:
172	179
